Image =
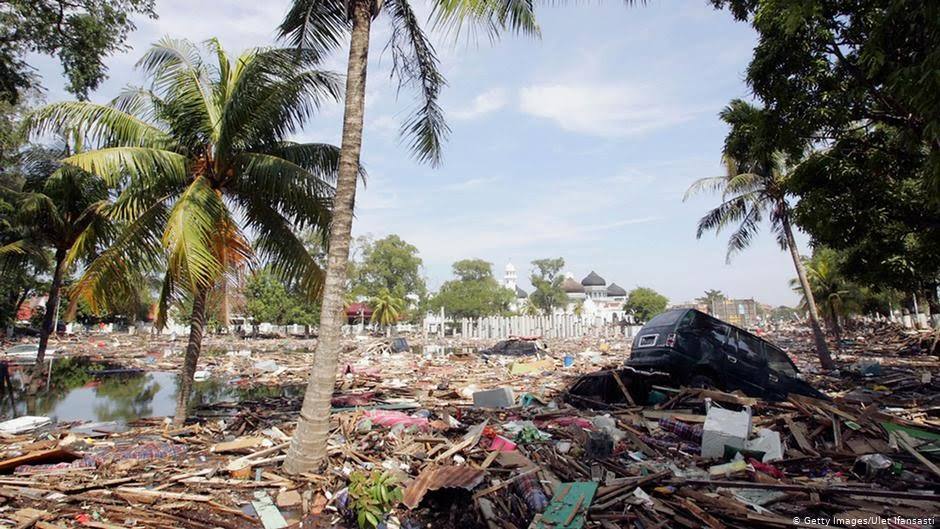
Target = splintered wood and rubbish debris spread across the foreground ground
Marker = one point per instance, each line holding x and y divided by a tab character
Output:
500	442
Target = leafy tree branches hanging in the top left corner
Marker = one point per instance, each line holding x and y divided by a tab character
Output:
80	32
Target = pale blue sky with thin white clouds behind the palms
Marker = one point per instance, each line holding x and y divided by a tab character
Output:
579	144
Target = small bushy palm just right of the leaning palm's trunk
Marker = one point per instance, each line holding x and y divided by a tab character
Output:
834	293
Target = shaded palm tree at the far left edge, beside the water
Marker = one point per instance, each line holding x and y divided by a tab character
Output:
61	209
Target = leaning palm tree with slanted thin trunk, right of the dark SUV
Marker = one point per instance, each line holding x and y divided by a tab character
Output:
755	186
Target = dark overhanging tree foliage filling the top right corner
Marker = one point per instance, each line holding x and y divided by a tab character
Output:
832	70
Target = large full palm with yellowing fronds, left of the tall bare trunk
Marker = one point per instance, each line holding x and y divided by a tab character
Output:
201	158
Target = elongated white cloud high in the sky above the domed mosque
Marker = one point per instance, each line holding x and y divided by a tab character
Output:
599	109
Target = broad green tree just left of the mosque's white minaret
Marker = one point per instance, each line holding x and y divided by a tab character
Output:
473	293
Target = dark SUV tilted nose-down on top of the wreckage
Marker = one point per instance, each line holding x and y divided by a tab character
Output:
698	350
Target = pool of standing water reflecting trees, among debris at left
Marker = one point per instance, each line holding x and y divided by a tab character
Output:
82	390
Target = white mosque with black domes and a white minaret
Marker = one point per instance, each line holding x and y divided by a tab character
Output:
592	297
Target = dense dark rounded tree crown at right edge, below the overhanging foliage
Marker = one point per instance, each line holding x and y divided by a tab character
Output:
865	199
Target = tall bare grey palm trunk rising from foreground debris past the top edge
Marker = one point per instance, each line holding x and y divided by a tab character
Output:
308	446
